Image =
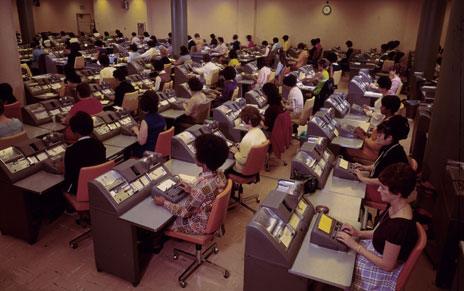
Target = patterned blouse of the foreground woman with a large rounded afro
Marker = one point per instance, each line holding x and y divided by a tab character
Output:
193	212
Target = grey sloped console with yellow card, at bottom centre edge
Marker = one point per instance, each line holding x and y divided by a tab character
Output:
273	238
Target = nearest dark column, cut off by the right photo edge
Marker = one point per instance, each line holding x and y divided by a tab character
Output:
446	132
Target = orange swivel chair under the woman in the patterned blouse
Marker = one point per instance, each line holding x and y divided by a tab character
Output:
215	222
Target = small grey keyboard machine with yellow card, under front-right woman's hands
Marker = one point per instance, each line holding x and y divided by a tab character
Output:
324	233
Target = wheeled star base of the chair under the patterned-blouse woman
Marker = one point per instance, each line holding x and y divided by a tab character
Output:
199	258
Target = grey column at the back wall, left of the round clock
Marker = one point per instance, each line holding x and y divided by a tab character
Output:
178	24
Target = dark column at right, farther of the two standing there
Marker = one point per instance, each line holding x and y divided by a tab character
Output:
428	37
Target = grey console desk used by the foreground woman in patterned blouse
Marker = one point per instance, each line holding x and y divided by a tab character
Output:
124	216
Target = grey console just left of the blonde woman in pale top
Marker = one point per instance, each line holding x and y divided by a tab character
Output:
227	115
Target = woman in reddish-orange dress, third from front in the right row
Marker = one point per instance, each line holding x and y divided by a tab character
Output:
370	149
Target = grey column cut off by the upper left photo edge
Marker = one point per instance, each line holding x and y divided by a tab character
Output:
10	71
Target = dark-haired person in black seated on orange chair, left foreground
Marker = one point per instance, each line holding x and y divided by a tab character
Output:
86	152
